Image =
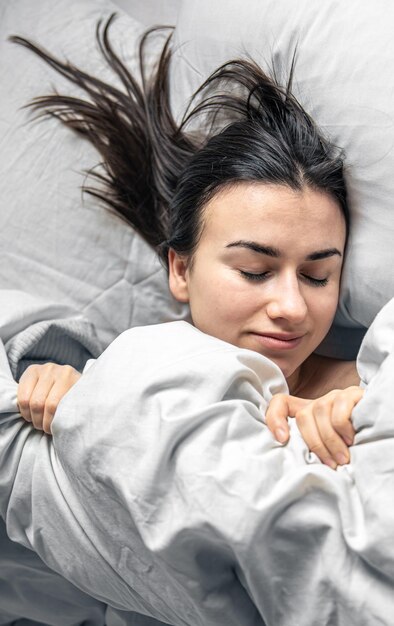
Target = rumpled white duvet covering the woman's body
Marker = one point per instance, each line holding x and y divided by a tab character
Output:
163	492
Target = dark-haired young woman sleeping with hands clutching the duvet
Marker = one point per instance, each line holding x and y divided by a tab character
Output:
249	216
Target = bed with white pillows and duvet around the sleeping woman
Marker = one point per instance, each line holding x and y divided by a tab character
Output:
314	547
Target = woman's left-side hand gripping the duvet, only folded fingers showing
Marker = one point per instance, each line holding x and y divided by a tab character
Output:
40	389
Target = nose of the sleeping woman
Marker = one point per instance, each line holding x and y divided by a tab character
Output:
287	301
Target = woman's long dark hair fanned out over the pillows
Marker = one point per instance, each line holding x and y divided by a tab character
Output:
158	175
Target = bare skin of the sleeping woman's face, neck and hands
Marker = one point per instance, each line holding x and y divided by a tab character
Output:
265	276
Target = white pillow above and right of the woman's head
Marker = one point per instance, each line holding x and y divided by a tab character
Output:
344	76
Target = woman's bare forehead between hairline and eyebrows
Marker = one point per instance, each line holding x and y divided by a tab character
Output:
274	214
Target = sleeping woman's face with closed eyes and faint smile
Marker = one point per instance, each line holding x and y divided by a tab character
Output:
266	272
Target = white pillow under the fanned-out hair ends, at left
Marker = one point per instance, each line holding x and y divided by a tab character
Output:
55	243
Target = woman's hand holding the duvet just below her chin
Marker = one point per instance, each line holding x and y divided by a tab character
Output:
324	423
